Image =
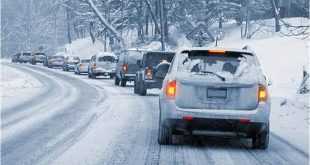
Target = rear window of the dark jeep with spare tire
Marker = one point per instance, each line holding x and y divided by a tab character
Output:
153	59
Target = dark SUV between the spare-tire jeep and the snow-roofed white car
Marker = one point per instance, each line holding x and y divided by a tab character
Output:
127	66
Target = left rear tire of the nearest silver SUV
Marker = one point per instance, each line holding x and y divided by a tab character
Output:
164	134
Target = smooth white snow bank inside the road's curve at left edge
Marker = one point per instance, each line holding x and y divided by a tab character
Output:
17	87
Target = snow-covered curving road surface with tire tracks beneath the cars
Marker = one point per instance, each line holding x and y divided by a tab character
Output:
83	121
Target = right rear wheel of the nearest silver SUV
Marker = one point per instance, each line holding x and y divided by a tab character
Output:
261	139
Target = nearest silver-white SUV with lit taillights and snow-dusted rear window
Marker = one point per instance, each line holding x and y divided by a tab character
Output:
215	92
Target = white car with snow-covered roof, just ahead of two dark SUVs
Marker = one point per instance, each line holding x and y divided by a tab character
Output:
102	64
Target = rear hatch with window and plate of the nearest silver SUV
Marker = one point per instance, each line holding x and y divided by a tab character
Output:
207	87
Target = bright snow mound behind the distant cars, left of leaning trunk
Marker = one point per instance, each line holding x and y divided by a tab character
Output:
84	48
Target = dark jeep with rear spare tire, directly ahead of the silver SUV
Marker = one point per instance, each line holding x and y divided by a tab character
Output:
153	69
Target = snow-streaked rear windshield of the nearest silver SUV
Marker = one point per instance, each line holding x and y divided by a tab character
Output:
202	62
